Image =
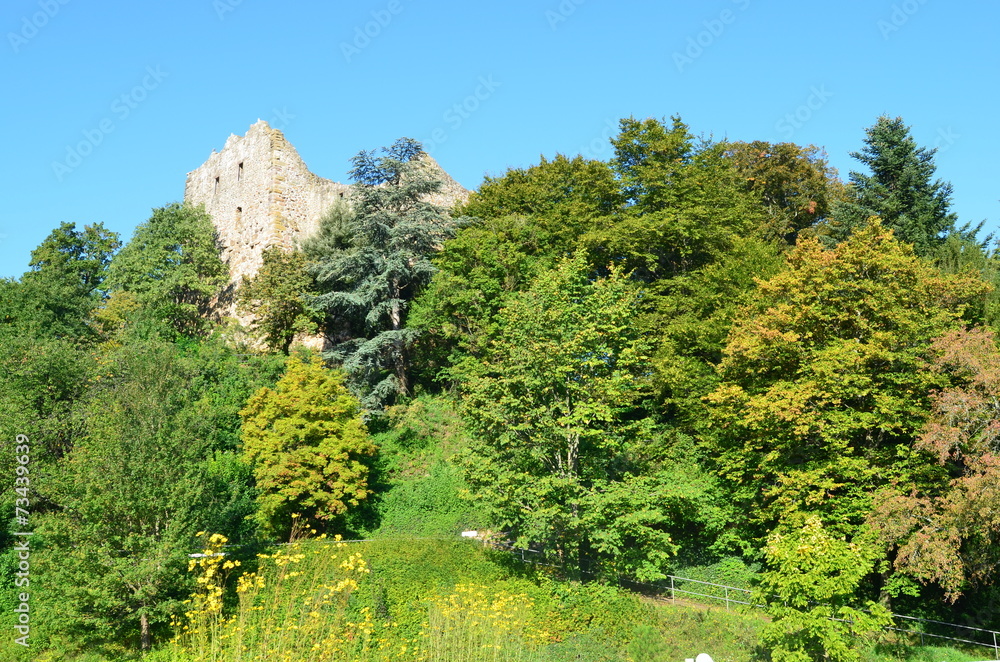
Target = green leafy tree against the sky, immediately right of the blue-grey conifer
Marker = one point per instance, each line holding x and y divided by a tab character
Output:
525	220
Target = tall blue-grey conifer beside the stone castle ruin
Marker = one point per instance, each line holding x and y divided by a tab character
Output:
393	231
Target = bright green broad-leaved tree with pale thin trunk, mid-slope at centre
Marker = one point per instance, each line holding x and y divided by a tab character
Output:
554	408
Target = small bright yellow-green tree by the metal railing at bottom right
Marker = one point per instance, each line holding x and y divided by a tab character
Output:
809	593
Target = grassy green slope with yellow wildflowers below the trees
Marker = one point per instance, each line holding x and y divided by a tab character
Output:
423	579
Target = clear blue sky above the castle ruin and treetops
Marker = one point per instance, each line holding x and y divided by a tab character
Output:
110	104
